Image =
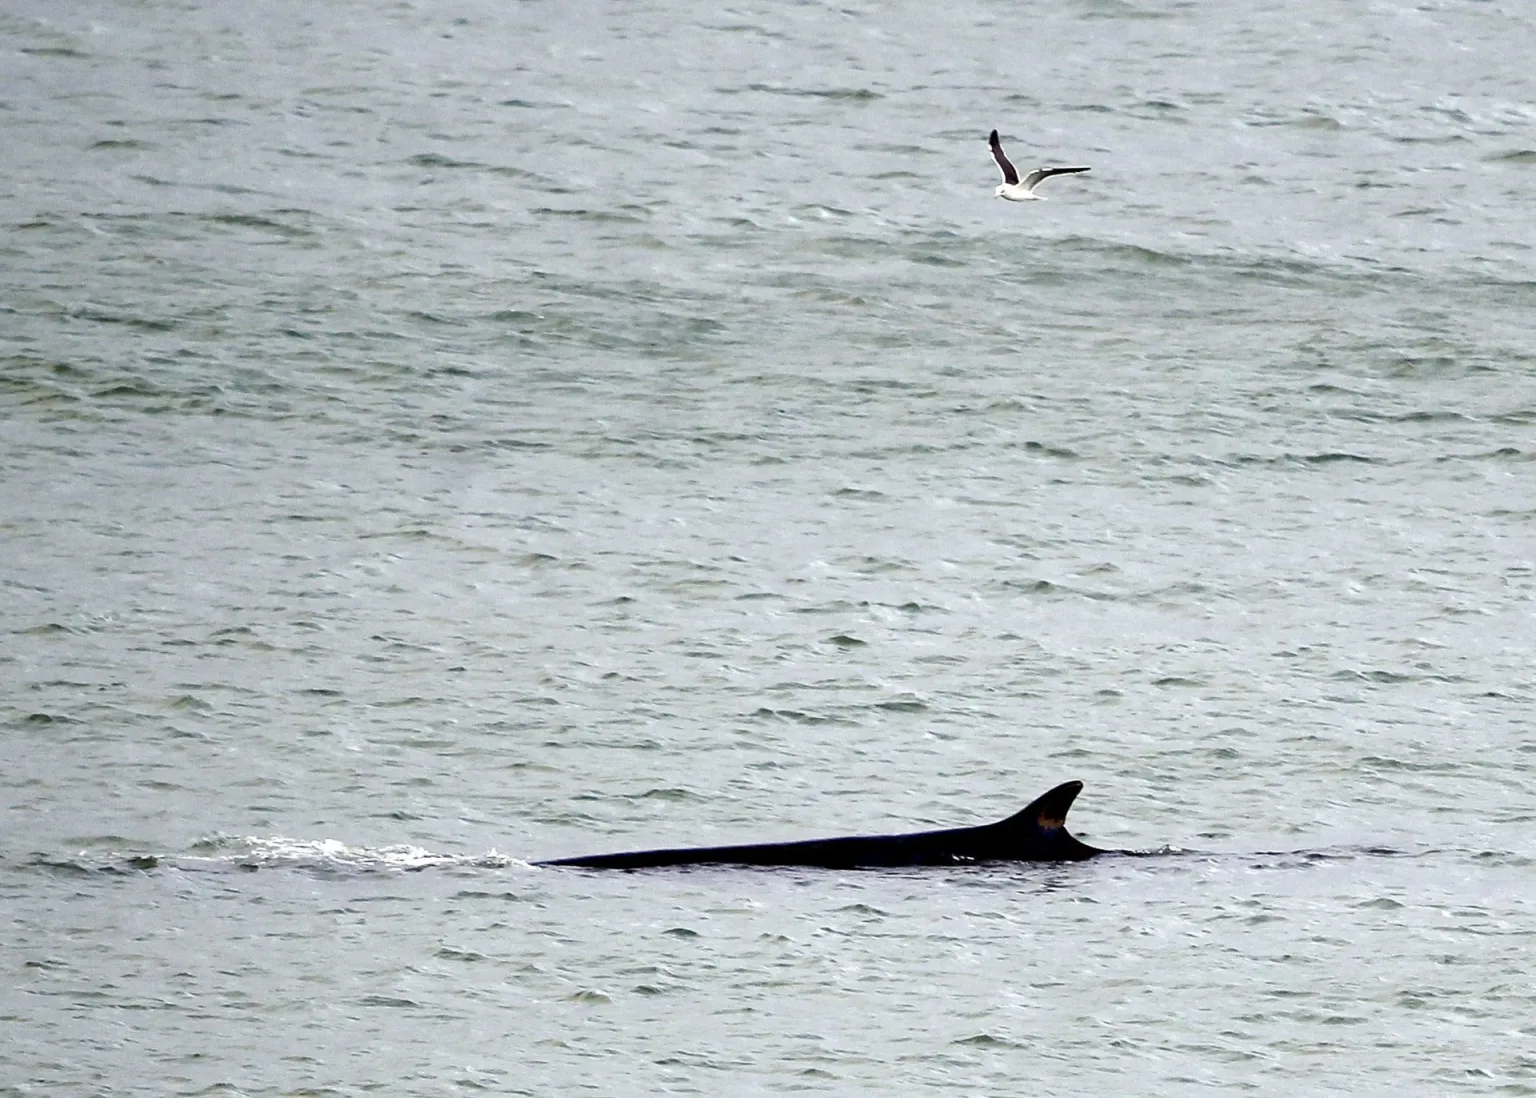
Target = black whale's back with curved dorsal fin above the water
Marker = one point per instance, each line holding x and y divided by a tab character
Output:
1038	833
